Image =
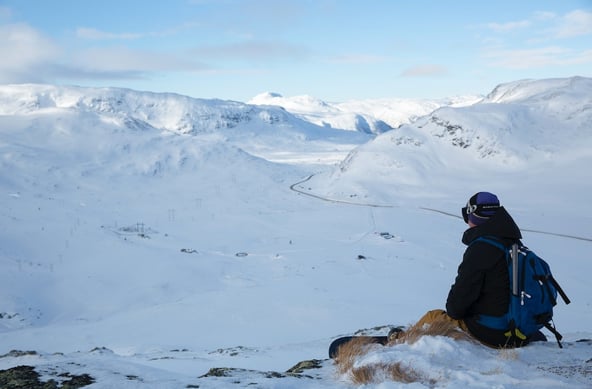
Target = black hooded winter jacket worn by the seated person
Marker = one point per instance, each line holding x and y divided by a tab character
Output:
482	285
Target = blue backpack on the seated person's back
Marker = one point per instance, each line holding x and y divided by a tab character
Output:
533	294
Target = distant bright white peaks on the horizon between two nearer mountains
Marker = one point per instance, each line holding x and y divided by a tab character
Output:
367	116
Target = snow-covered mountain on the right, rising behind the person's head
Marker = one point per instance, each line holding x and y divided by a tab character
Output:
540	126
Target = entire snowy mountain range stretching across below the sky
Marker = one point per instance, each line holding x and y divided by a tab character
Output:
518	121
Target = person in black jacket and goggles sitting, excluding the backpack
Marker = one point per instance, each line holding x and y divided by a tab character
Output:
482	282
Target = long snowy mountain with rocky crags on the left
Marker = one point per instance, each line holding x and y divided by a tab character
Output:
109	114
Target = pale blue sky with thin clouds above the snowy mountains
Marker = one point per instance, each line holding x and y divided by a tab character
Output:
335	50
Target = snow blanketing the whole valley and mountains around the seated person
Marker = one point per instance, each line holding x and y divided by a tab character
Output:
147	238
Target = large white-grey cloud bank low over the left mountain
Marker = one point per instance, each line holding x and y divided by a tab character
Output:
32	57
